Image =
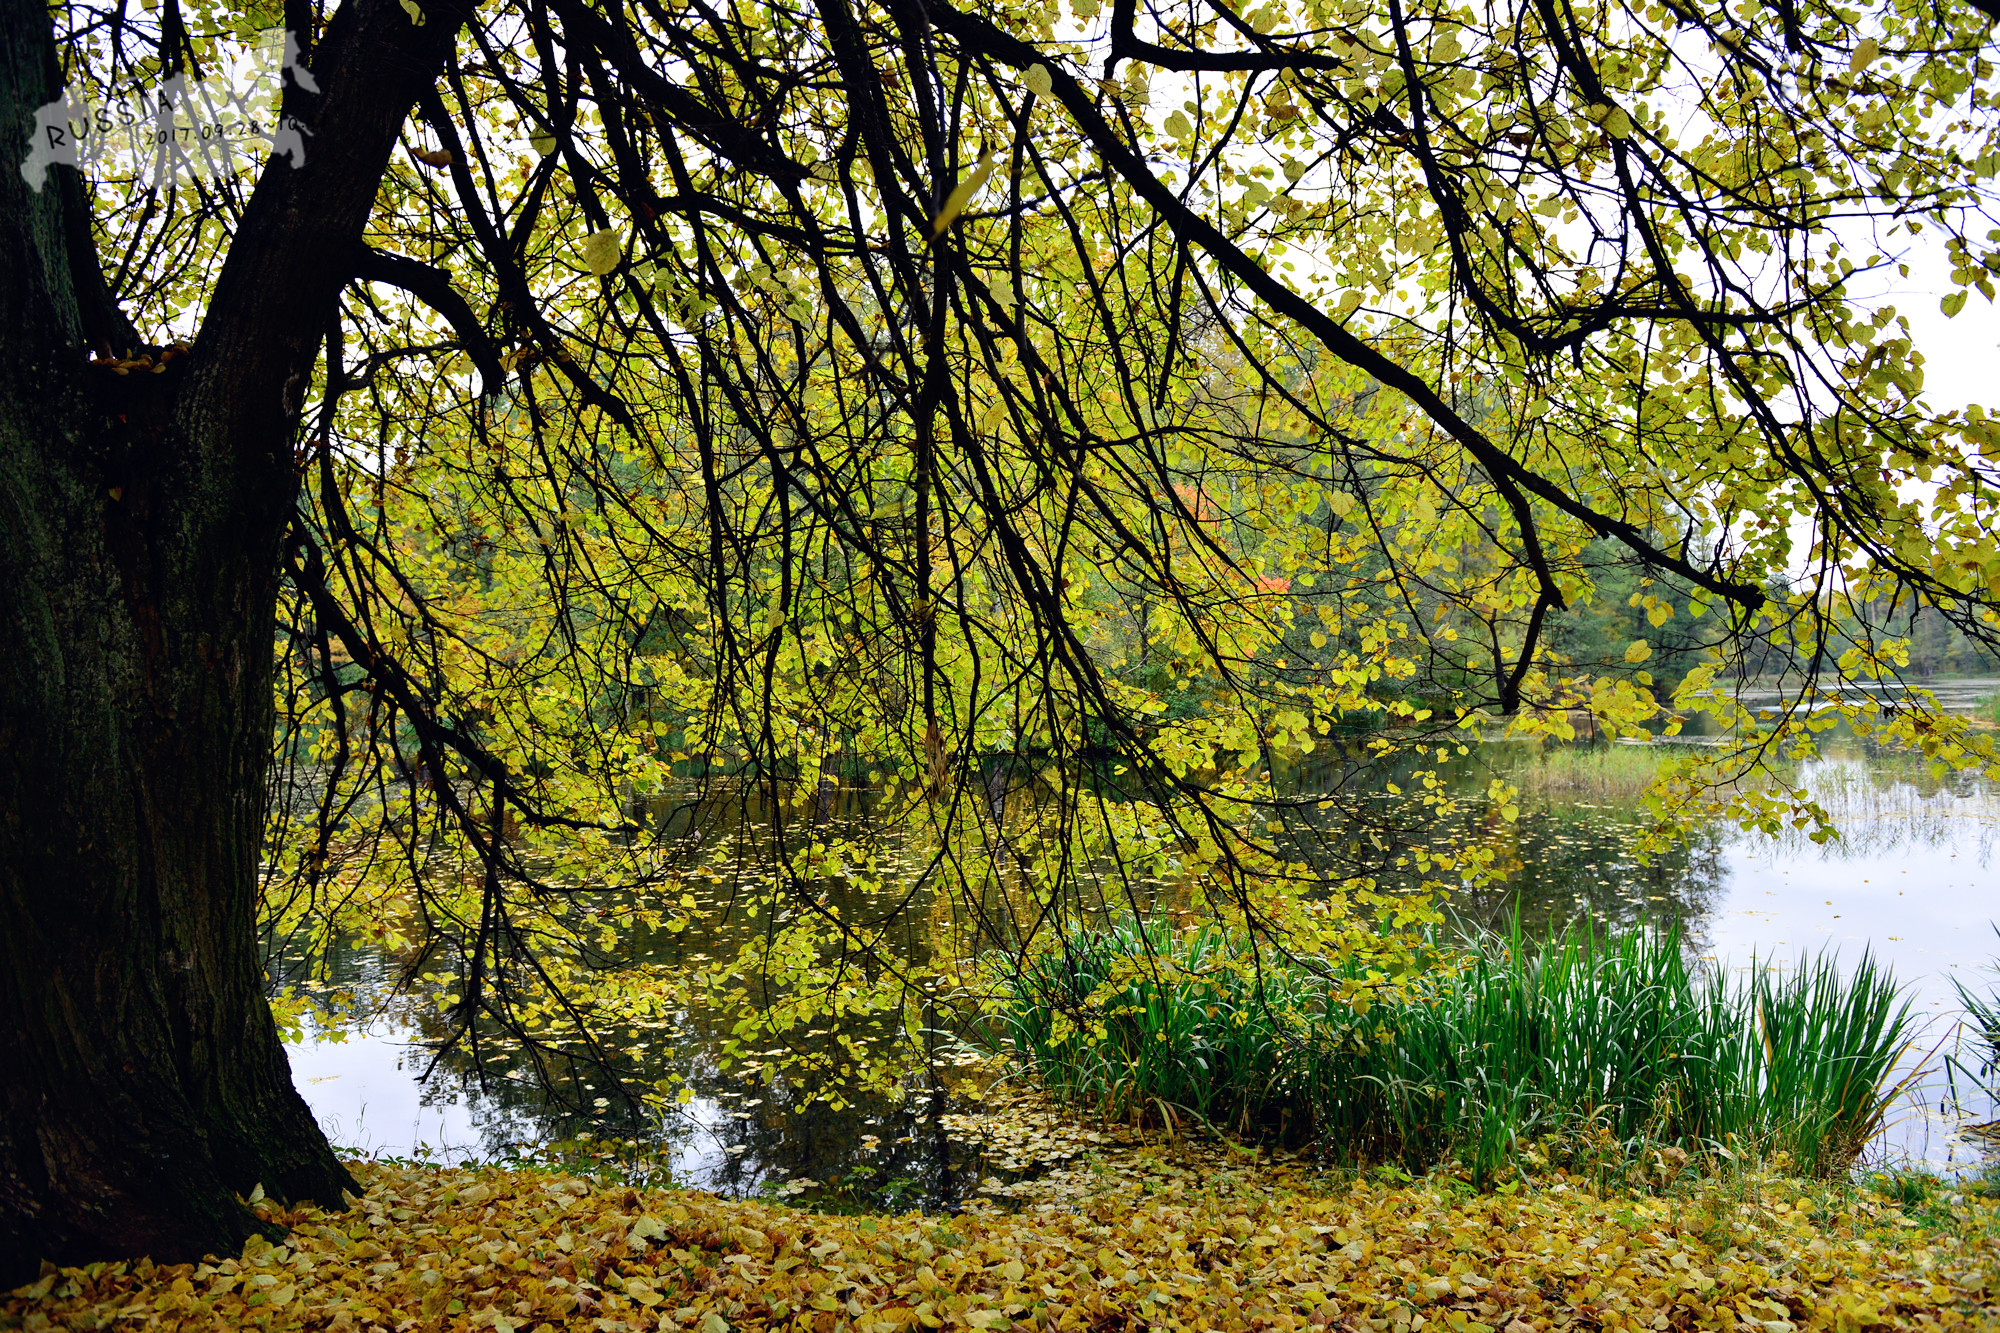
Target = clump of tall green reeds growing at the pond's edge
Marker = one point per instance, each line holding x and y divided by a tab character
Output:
1585	1040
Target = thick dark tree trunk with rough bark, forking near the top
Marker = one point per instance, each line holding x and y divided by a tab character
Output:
143	1084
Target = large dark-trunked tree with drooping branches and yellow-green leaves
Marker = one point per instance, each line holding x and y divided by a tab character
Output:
953	389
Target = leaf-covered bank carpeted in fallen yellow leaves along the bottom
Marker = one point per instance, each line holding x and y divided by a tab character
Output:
1169	1240
